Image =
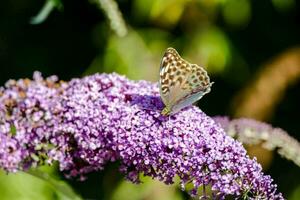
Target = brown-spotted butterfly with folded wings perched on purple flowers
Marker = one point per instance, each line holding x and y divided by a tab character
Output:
181	83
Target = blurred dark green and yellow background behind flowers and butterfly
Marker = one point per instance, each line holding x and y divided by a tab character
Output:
251	50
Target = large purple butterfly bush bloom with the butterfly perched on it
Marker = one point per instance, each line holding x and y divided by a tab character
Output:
85	123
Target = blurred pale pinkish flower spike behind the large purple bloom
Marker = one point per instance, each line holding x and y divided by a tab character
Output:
250	131
